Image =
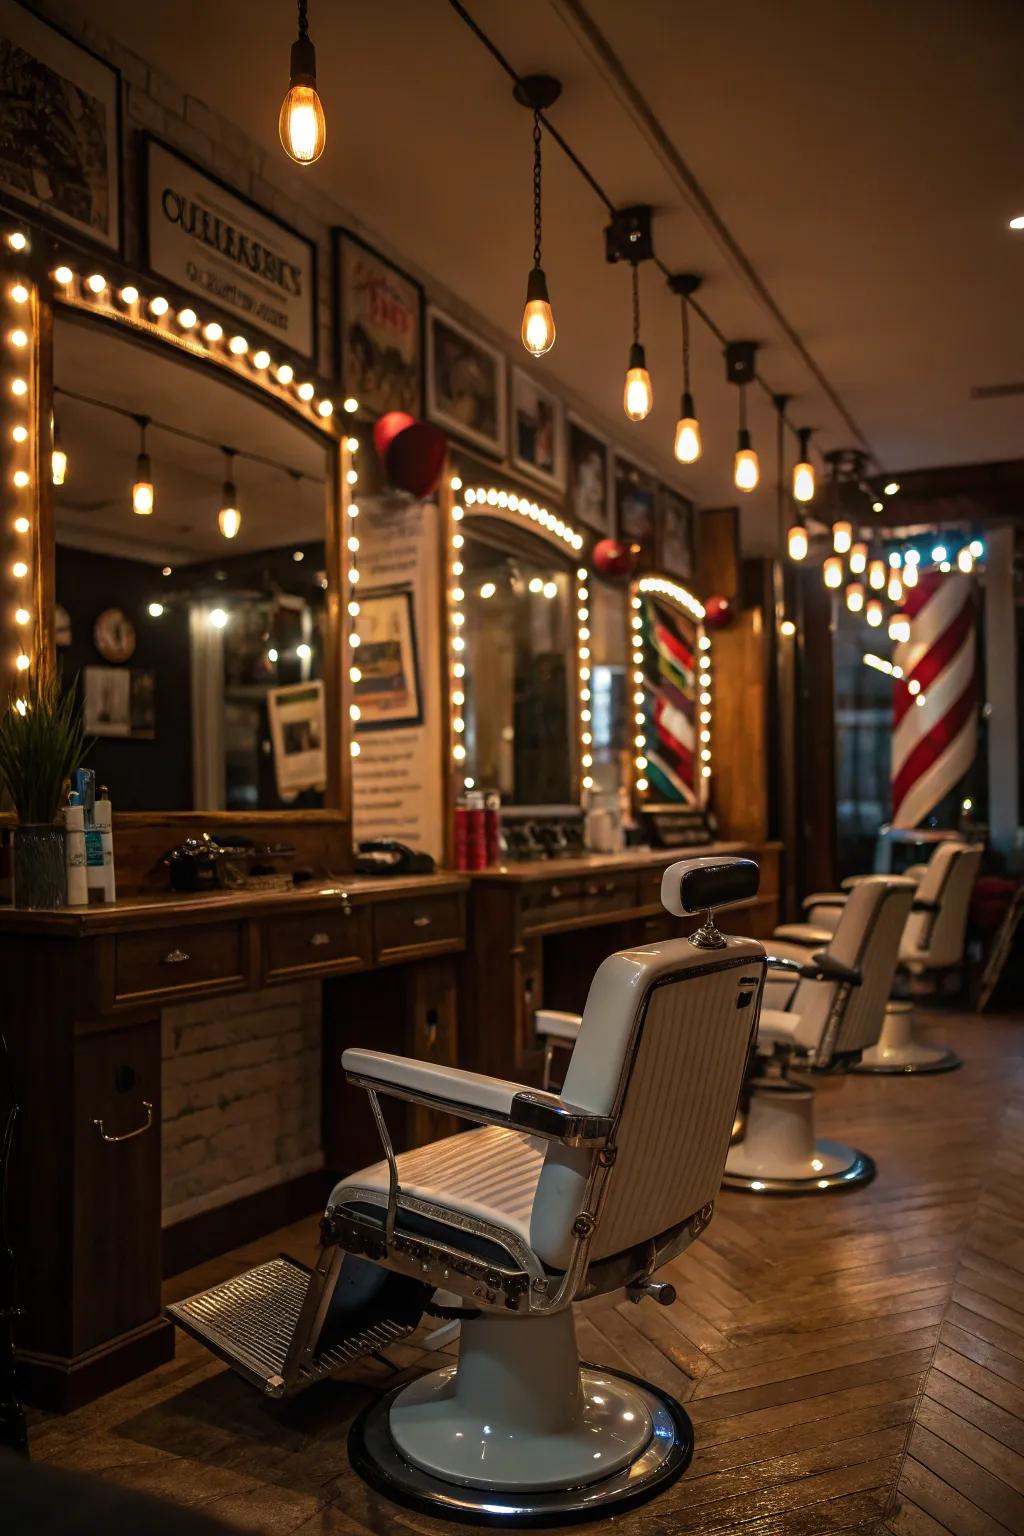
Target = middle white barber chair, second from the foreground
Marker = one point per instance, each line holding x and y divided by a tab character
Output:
821	1013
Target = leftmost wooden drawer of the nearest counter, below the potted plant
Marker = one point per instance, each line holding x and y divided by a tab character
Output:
203	958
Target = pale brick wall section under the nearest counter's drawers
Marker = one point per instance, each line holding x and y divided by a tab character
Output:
242	1096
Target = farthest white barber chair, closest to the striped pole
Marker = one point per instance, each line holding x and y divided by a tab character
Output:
933	942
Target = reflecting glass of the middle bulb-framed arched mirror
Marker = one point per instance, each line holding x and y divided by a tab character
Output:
520	717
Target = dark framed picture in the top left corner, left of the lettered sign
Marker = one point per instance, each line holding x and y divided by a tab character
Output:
61	151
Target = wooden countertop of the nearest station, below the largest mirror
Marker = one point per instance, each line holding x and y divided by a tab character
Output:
164	907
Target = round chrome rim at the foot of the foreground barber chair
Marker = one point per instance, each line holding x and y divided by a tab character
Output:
666	1457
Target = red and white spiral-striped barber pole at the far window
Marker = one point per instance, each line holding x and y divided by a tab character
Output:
934	741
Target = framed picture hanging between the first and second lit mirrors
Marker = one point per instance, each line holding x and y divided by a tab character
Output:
389	690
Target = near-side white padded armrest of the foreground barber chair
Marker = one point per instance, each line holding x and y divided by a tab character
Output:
472	1096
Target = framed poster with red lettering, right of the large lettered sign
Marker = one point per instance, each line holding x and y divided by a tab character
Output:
378	329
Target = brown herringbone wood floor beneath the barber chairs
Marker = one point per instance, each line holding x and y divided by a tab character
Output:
851	1363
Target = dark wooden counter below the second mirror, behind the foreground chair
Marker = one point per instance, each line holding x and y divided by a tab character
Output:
541	929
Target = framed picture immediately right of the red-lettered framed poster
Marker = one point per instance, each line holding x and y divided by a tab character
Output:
466	383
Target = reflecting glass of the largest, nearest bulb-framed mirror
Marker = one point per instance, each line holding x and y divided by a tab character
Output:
196	629
